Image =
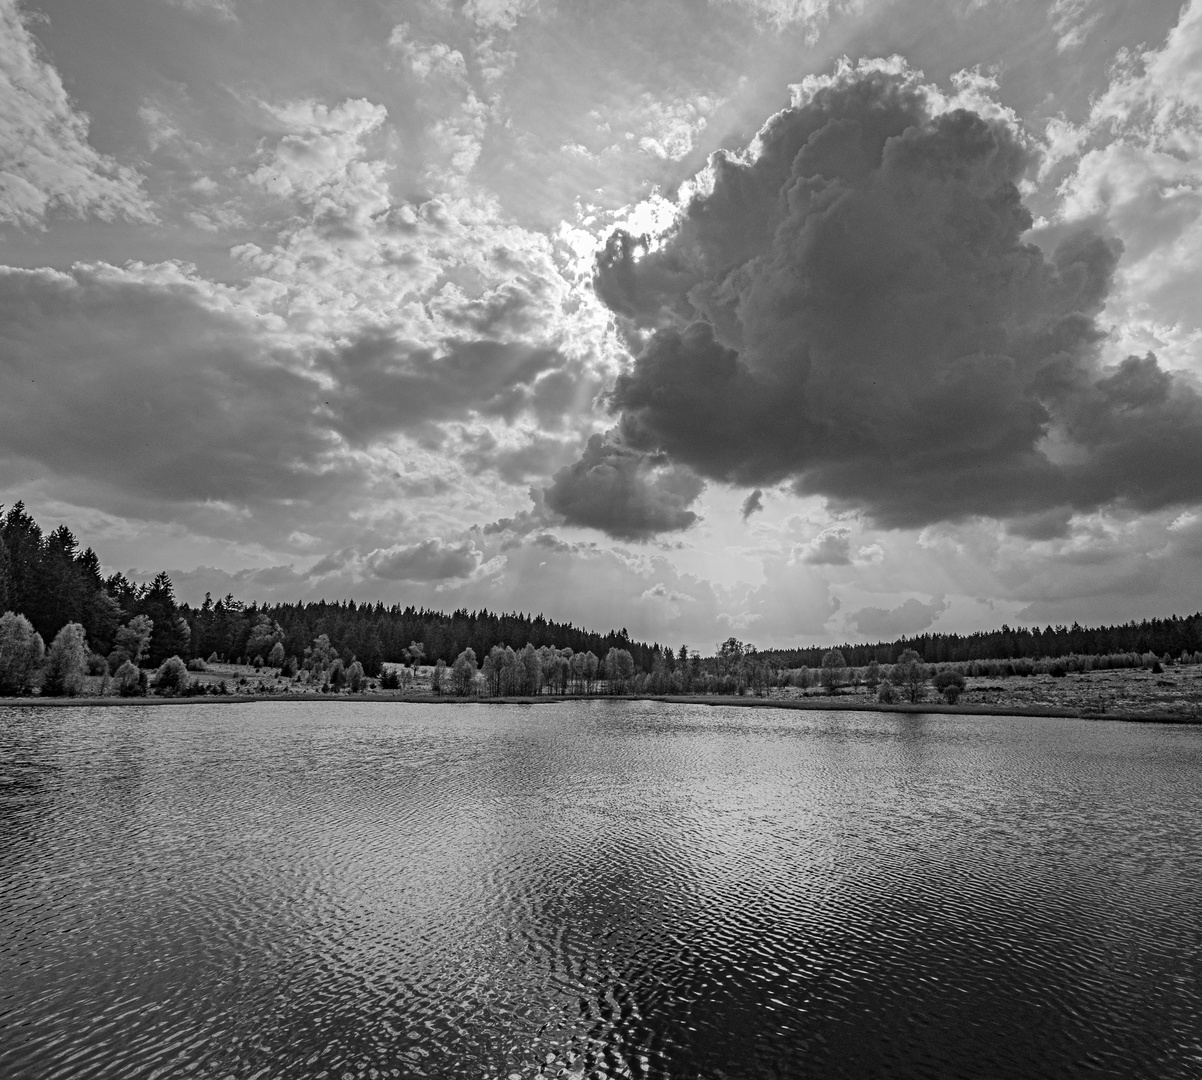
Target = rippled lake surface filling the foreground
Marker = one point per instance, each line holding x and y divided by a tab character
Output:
585	890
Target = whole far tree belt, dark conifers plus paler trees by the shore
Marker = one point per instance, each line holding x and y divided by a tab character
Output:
50	582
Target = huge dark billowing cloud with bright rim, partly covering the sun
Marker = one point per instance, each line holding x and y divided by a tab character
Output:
853	309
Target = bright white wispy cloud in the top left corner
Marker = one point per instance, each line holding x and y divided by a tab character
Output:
46	163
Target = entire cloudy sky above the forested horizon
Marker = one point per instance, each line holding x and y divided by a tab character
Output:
802	321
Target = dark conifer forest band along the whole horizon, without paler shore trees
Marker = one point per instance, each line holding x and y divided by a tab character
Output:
50	581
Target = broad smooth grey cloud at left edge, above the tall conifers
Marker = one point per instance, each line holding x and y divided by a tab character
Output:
145	389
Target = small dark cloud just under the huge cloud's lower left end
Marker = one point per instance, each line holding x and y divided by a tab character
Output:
624	493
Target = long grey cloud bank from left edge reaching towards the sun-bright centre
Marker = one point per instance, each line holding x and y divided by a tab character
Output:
152	391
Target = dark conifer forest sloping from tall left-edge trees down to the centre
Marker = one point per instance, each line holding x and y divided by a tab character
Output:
49	581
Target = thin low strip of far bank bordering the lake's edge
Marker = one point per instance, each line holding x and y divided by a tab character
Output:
806	706
